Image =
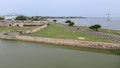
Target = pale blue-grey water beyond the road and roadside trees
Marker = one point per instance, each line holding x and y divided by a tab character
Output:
88	21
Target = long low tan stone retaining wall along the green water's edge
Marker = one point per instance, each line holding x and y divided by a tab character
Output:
69	42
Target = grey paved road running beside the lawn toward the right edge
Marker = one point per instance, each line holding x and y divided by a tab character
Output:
99	34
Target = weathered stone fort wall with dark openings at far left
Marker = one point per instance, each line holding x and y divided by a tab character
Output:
8	23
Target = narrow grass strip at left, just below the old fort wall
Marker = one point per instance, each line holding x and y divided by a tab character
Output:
3	29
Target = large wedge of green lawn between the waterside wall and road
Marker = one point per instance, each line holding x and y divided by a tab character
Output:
53	31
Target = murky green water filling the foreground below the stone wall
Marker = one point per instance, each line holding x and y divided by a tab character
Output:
18	54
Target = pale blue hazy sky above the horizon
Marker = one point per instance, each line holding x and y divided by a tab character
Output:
85	8
